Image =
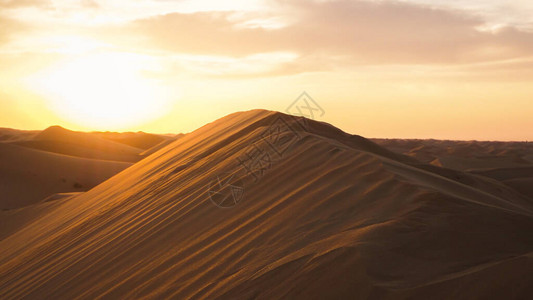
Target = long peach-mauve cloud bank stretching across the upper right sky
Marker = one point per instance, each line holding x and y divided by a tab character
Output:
363	32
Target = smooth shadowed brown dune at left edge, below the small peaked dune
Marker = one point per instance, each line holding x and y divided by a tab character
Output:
28	176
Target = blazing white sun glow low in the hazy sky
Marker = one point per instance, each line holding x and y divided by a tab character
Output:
104	91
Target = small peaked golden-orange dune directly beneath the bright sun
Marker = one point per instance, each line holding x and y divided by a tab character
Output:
81	144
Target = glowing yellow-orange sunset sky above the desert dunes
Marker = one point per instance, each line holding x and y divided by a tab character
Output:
385	69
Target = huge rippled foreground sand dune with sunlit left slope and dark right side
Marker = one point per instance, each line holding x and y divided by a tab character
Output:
321	214
